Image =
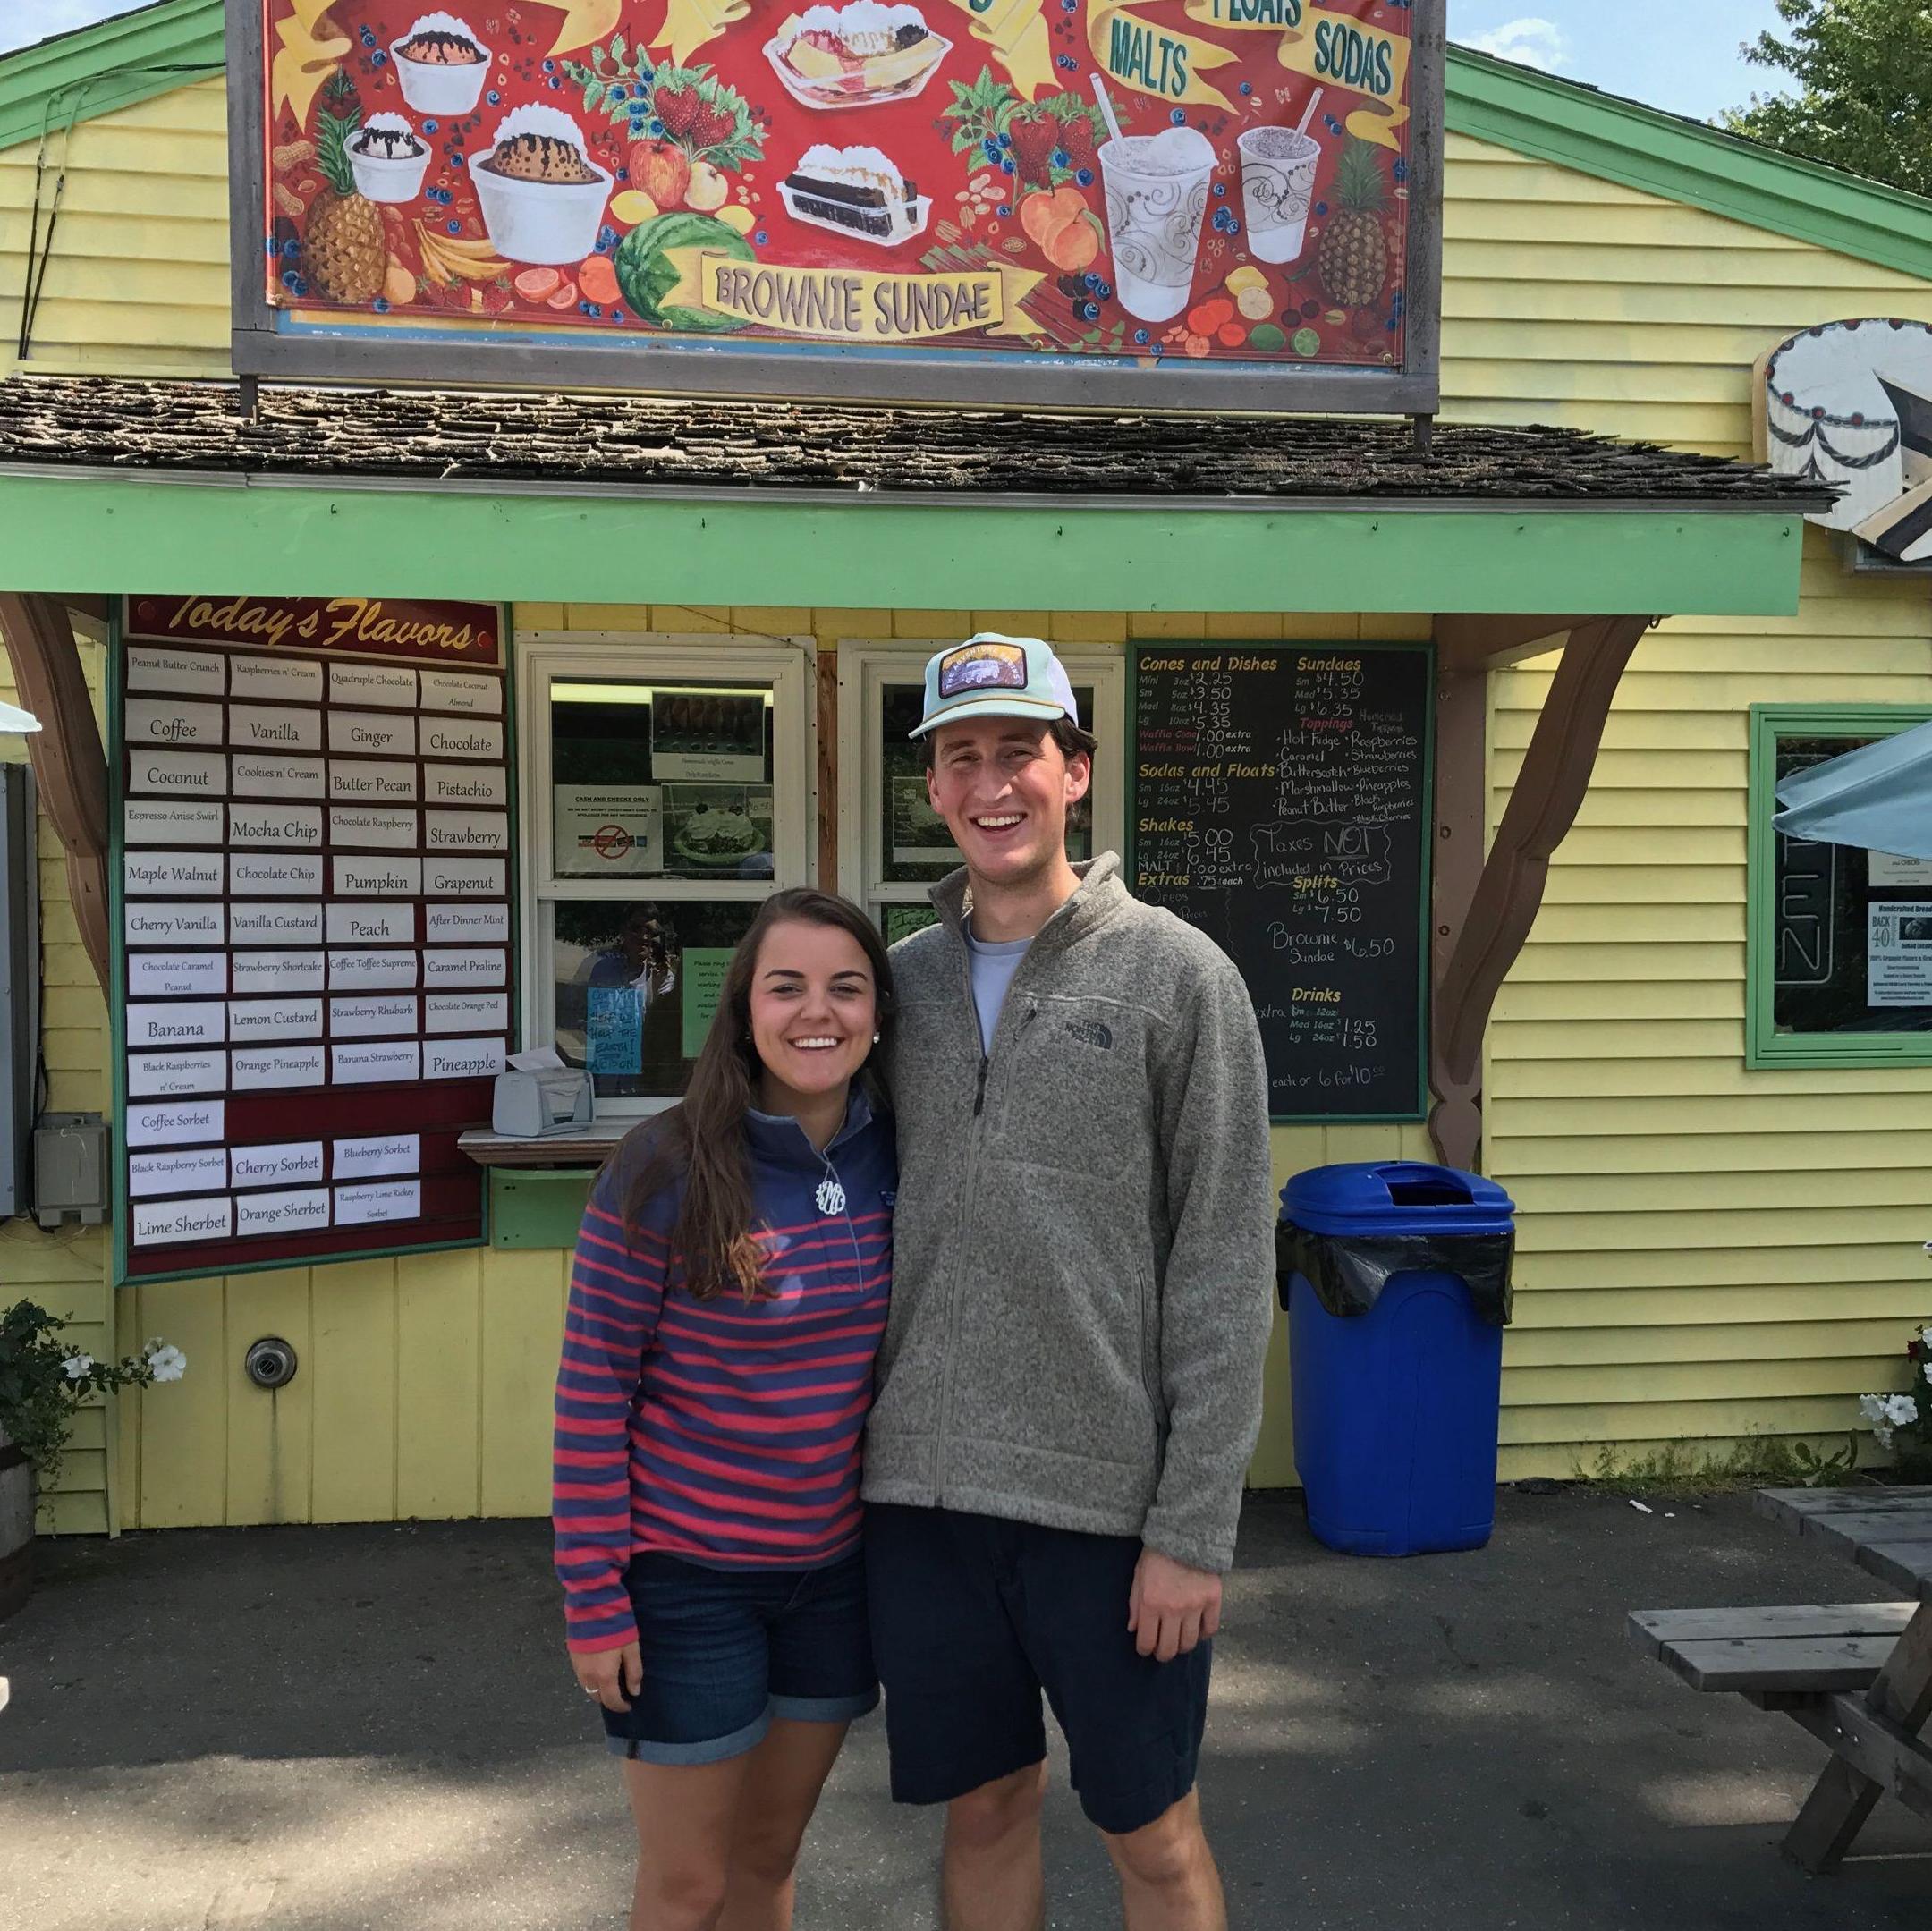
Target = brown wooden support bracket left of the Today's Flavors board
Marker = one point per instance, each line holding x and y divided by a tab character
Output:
69	762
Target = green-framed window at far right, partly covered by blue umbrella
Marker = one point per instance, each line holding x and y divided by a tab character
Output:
1840	957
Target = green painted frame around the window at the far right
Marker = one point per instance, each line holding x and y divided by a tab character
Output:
1767	1049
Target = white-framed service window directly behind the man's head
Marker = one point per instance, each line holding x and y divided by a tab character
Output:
894	847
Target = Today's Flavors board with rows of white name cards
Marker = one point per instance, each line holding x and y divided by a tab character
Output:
312	928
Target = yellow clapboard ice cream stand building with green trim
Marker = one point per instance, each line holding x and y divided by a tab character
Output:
476	497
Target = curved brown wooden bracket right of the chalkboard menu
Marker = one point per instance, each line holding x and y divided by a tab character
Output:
1502	907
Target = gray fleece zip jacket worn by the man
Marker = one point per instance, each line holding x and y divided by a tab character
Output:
1083	1245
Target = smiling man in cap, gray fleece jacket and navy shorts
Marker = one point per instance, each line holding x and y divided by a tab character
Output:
1071	1380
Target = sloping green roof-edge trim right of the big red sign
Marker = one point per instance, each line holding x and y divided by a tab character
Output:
1686	161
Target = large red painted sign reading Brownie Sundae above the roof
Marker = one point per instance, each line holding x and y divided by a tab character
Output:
984	200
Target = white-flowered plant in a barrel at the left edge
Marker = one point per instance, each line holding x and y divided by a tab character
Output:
43	1382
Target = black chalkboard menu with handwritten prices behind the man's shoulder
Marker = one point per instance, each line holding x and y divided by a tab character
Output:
1282	804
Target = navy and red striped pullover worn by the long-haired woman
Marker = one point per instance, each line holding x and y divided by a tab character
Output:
722	1430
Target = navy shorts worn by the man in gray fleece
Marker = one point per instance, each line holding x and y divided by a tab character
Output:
975	1617
